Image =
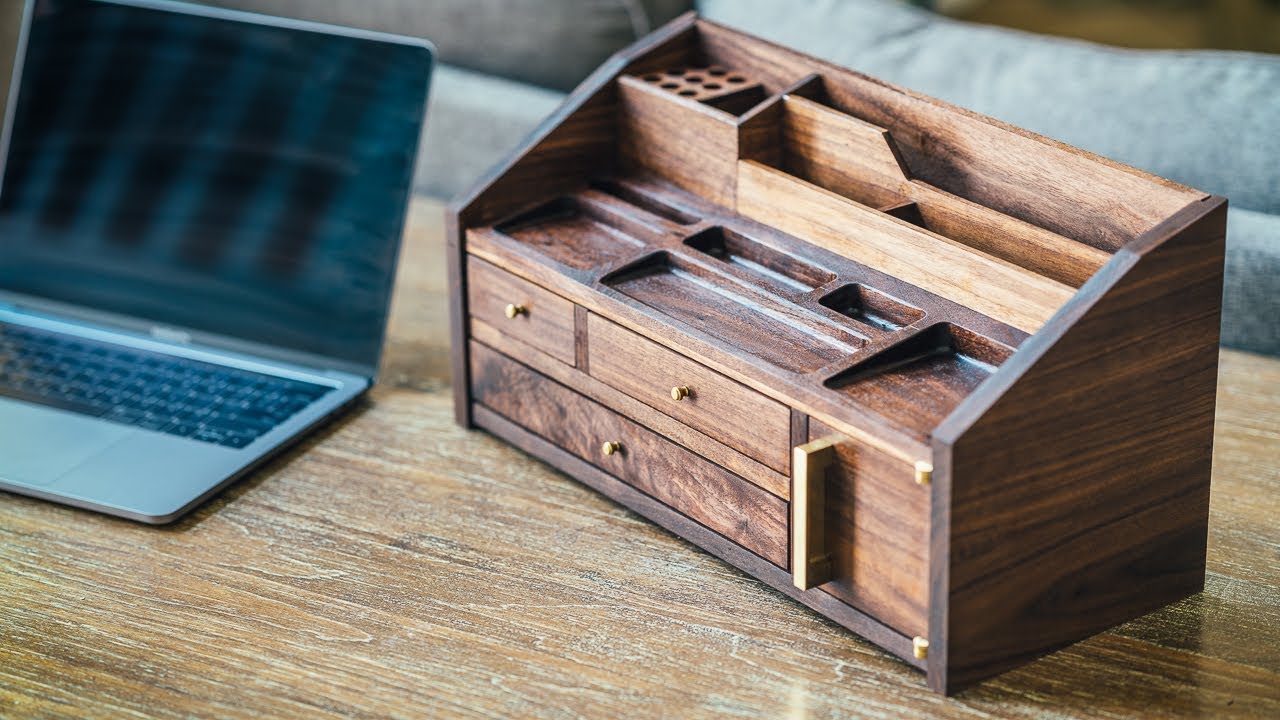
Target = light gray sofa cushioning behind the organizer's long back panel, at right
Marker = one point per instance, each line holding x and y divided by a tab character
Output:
1205	119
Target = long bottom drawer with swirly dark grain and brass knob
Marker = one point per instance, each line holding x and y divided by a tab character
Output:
684	481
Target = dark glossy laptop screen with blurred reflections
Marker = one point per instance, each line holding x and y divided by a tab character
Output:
212	175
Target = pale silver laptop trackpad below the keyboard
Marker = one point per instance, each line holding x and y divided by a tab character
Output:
39	445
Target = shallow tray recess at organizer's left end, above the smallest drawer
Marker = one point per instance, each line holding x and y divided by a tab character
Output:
575	234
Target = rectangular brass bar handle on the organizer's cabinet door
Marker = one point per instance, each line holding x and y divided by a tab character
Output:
811	562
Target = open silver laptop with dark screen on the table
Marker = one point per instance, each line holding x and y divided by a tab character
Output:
200	220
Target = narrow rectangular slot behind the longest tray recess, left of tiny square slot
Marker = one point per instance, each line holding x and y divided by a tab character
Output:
762	265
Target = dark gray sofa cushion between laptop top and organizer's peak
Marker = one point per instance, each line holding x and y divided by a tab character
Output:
548	43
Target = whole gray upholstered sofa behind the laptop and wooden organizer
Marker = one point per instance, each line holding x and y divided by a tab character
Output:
1206	119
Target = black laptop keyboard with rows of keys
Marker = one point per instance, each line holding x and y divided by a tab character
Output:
148	390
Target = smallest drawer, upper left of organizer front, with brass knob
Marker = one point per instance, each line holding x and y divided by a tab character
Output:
520	309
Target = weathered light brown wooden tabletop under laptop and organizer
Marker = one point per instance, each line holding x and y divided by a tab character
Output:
397	566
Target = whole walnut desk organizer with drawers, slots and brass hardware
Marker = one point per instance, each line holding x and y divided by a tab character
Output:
944	381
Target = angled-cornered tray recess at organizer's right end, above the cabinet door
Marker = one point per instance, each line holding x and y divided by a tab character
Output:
922	380
